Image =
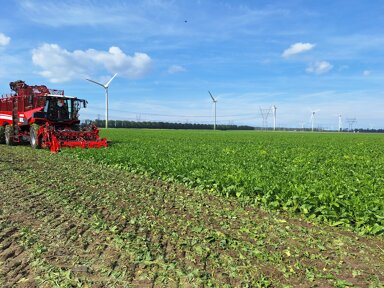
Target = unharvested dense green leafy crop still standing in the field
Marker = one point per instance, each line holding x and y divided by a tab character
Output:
327	177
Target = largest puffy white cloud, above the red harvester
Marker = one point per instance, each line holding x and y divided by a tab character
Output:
60	65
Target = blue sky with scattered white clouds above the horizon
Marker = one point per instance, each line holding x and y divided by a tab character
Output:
300	55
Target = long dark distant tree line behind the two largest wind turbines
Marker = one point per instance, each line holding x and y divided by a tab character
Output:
166	125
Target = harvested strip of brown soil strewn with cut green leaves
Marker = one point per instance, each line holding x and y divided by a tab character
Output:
66	222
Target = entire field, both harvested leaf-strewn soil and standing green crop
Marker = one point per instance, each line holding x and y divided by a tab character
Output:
161	208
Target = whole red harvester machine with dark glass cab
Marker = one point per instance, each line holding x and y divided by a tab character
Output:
45	118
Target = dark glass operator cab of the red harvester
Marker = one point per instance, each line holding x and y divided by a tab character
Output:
61	109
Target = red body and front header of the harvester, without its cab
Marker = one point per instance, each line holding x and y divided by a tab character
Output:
18	110
